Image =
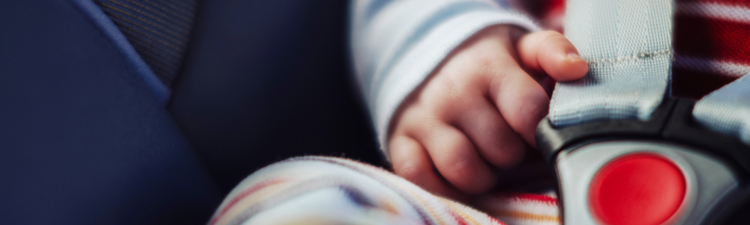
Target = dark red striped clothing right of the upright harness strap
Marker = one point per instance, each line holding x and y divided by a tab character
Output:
712	45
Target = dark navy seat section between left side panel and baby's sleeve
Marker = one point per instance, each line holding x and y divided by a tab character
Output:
266	80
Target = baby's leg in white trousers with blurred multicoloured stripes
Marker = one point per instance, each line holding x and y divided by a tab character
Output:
324	190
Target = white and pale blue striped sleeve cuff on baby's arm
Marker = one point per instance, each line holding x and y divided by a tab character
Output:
396	44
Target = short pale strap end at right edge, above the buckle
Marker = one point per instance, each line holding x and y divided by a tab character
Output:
727	110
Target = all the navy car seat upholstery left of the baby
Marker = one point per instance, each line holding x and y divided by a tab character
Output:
83	139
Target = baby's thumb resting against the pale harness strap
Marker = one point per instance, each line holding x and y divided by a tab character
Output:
552	53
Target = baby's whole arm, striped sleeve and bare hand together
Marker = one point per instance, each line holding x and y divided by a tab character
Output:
479	104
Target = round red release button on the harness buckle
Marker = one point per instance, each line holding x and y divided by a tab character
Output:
641	188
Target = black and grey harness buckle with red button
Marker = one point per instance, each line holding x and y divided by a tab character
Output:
665	170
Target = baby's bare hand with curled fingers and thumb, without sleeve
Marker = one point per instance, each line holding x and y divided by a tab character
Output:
478	108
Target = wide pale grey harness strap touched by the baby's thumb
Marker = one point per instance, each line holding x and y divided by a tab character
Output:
628	46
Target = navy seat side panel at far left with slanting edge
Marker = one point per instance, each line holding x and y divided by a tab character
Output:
83	139
